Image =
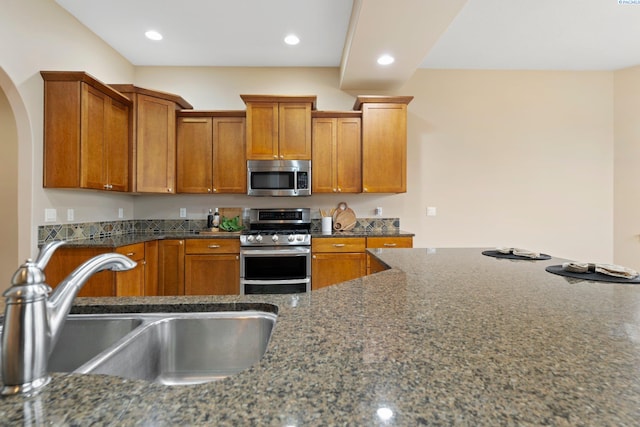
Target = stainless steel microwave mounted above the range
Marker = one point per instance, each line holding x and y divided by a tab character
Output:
279	177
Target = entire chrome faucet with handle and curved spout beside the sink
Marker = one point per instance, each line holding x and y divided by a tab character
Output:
33	320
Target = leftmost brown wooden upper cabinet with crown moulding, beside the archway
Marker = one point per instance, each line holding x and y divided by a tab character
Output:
86	133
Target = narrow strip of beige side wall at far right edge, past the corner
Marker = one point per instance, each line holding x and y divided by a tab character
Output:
627	170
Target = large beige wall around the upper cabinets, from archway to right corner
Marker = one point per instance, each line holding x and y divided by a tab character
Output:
508	157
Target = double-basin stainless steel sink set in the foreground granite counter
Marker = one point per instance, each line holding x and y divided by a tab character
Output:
166	348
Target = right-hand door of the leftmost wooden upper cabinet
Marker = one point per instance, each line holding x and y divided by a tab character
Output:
117	146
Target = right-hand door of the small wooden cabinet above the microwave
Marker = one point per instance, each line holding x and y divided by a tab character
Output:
294	131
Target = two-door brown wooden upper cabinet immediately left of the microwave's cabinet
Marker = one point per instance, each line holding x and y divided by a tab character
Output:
211	152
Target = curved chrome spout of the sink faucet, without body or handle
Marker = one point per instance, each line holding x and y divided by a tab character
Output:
61	300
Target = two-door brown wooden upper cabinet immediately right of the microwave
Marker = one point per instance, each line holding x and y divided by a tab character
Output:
337	152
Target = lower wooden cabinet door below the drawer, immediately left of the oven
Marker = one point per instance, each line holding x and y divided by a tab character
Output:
212	274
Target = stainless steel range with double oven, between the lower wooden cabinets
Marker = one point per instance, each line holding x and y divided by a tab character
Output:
275	252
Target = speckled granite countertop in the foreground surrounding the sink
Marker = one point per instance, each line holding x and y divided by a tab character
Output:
445	337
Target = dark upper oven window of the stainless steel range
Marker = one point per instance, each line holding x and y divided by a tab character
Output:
275	267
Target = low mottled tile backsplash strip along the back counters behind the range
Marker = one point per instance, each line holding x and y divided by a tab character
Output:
98	230
